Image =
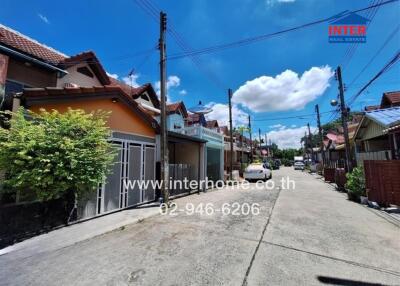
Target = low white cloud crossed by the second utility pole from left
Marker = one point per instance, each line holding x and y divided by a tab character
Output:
220	112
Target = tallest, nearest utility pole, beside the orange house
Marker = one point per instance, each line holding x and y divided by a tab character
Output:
163	120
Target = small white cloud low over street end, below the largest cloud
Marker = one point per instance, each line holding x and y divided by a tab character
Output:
288	137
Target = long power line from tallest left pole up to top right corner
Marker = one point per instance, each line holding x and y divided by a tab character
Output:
216	48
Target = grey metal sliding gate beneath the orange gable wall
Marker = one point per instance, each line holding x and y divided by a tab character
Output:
134	163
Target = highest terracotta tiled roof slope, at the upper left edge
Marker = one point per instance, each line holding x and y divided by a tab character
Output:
24	44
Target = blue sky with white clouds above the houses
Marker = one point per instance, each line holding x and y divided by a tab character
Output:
118	30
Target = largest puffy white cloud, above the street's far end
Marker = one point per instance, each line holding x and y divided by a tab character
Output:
286	91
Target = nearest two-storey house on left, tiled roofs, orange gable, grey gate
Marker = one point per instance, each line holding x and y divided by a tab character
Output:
36	76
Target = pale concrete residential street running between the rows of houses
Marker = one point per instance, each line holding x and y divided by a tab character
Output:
309	236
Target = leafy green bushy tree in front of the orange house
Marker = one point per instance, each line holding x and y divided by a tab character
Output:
52	153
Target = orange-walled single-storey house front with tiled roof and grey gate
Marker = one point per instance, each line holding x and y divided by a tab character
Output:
133	132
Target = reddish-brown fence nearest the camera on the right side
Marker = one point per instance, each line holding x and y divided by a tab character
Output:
382	180
